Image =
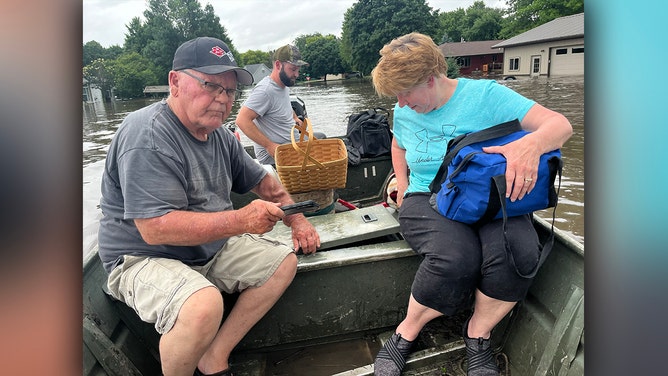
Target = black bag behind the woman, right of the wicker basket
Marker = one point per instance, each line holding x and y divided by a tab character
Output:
369	132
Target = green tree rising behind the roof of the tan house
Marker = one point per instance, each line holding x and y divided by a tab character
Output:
523	15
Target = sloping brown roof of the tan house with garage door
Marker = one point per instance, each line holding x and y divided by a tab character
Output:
568	27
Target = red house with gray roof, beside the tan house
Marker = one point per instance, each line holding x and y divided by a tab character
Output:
475	58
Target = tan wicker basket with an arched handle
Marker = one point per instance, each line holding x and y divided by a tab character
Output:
312	164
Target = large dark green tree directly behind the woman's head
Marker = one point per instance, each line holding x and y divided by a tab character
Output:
369	24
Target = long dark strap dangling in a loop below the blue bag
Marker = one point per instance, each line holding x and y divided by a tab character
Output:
499	186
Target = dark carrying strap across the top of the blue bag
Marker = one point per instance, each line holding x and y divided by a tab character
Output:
457	143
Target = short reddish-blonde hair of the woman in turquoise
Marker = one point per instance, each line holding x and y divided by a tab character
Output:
406	62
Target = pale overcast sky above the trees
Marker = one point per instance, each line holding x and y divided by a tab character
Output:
251	24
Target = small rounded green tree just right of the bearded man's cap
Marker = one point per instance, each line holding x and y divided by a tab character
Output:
322	53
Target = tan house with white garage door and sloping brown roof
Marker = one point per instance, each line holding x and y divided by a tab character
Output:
555	48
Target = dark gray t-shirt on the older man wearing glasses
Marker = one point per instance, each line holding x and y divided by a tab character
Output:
154	166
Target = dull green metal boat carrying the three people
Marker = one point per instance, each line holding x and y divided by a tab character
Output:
347	299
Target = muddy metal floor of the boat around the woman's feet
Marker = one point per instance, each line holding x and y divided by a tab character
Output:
438	351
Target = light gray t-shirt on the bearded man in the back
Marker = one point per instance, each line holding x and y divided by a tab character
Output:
275	116
